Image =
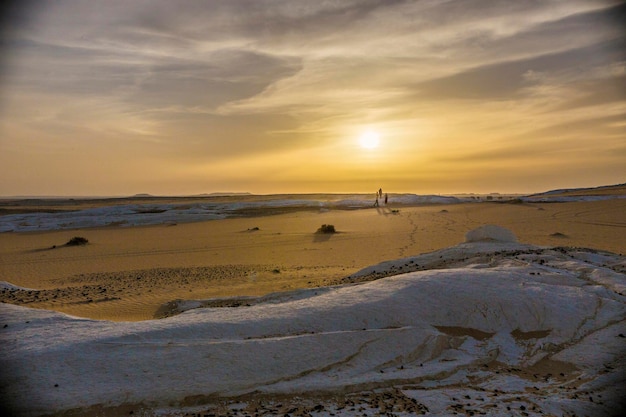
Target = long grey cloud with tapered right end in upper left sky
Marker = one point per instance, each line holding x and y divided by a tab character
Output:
216	78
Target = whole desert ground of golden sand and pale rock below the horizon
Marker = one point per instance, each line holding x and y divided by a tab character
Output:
428	305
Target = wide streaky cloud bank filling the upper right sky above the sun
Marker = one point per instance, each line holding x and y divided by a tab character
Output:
486	60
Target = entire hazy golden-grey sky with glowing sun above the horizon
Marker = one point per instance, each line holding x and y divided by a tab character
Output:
188	97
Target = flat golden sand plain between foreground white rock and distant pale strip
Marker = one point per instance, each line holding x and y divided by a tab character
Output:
131	274
